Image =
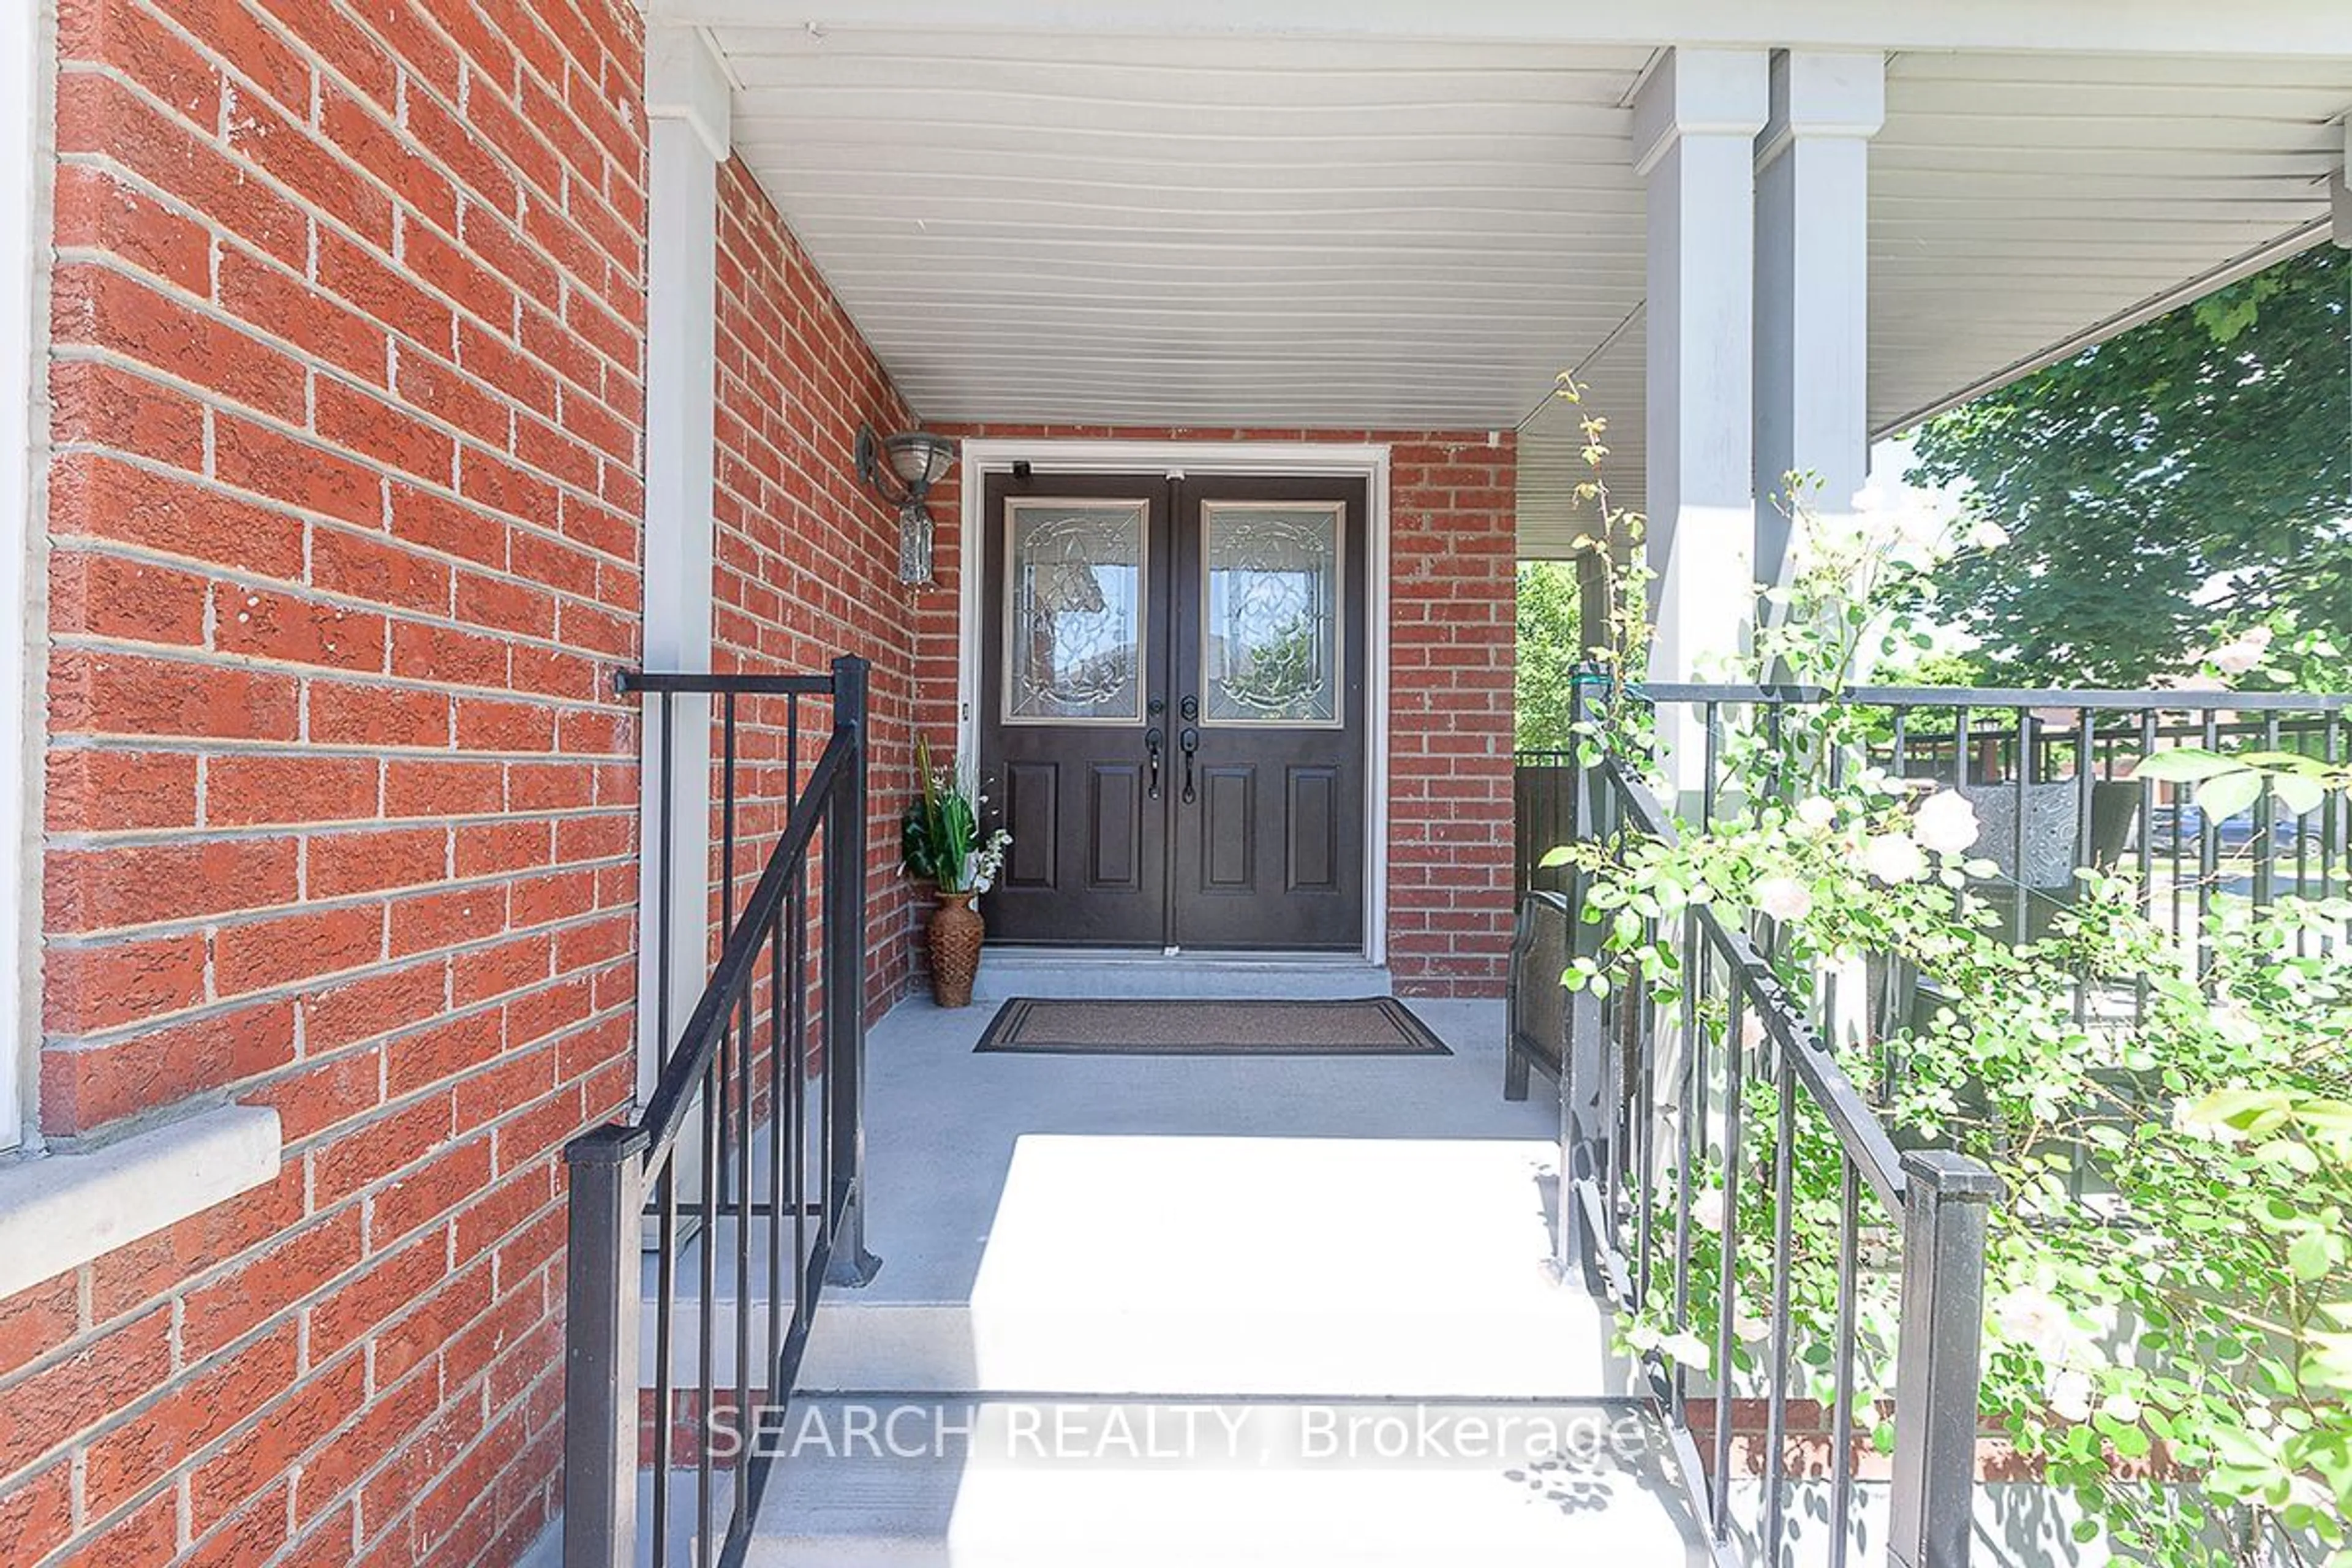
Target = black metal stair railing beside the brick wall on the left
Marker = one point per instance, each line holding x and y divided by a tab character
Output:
744	1170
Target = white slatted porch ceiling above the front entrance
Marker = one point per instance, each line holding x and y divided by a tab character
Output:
1220	229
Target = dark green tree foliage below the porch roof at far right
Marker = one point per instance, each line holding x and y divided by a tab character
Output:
2174	485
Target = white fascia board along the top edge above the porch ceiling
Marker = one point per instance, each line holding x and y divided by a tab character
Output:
2097	27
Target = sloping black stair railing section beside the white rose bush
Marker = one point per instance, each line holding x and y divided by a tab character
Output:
1648	1101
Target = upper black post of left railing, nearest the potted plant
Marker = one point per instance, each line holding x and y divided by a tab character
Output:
846	984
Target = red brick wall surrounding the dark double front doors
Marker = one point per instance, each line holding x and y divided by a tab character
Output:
1452	561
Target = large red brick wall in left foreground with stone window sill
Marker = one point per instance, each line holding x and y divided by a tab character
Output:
345	544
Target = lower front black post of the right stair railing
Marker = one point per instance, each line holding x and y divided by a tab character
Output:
1946	1202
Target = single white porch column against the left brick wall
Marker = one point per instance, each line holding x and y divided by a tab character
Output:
688	112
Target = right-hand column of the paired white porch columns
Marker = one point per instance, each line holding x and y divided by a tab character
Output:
1812	413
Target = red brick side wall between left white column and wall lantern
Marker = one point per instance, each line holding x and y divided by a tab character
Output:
806	558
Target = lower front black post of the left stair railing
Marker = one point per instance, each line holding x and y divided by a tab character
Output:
603	1299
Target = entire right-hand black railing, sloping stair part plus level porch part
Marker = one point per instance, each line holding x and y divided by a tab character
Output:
1652	1097
